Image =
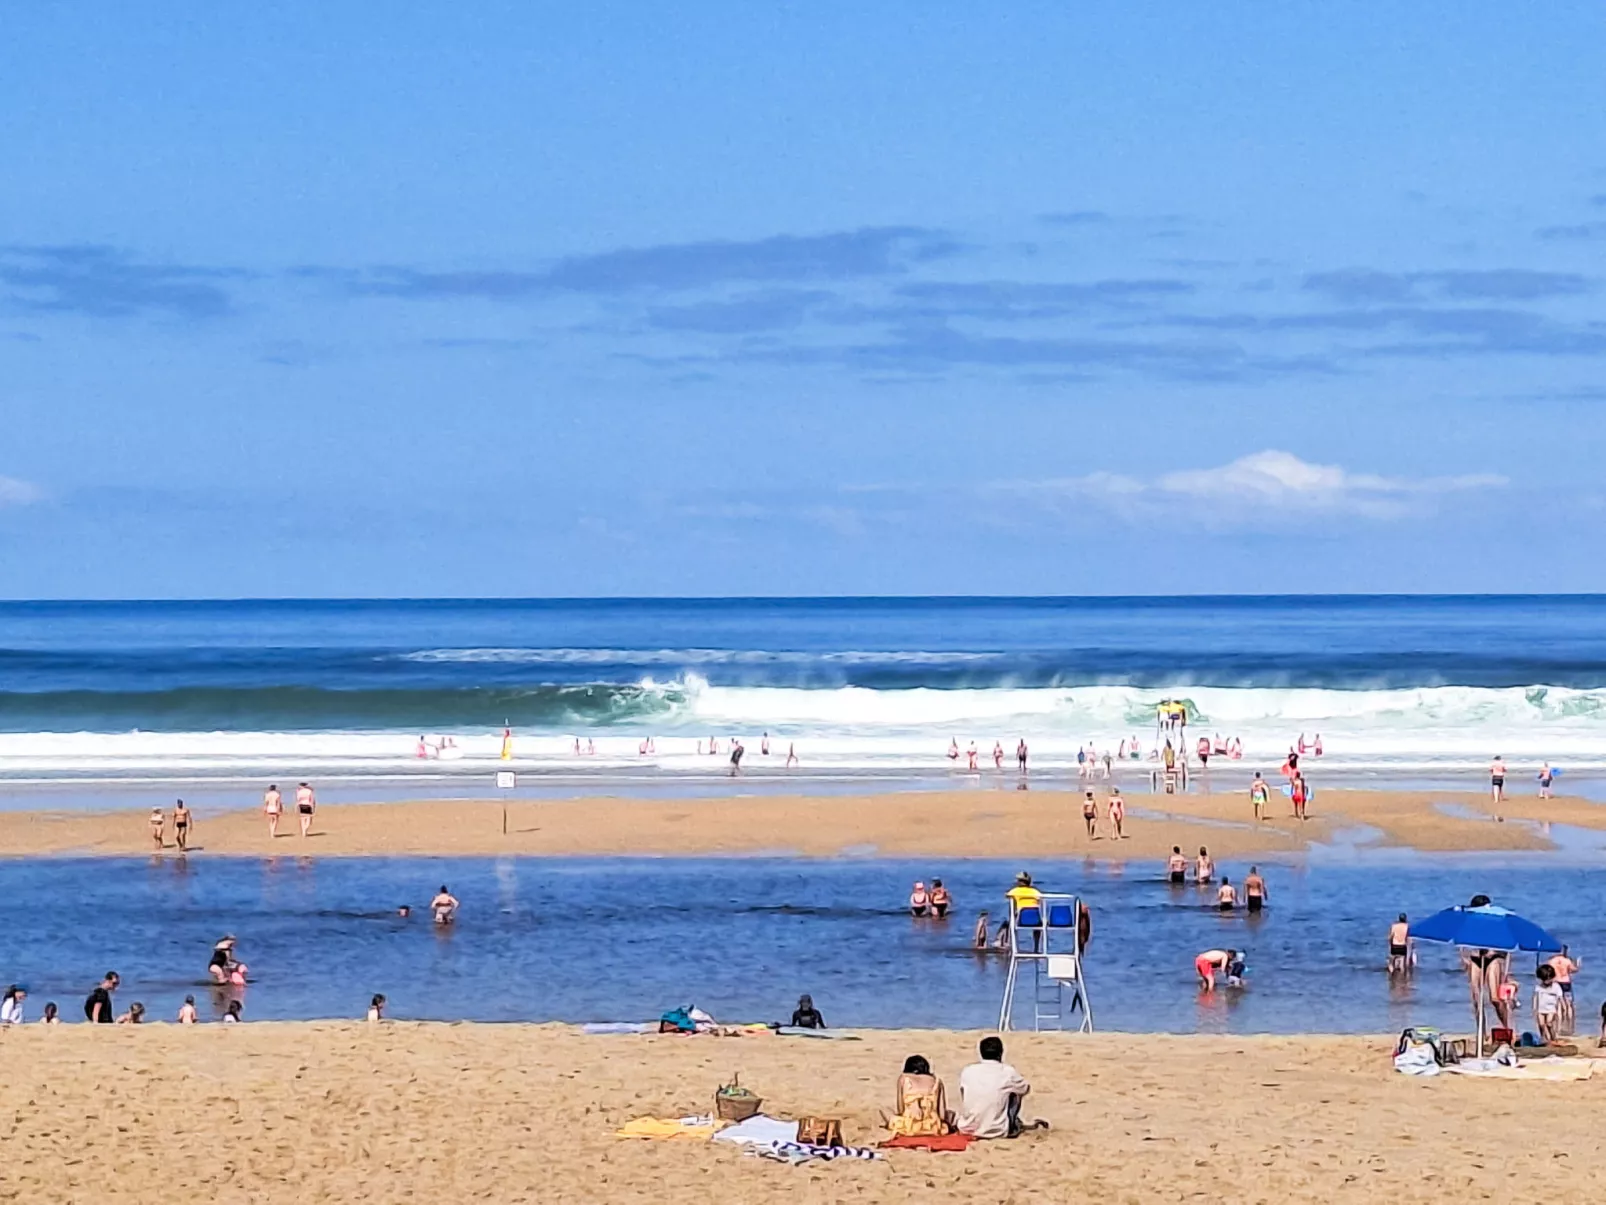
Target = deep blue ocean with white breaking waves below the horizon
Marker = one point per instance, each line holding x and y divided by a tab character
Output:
232	693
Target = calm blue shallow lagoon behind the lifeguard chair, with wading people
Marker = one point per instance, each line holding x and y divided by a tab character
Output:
627	939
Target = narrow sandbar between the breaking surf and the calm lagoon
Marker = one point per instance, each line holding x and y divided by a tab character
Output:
1016	825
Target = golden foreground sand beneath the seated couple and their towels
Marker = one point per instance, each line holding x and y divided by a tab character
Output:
341	1113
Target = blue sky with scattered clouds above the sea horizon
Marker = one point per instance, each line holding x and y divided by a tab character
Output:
916	298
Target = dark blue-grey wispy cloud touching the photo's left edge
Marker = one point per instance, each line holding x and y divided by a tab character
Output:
107	284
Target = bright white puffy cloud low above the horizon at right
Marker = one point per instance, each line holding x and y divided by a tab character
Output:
1266	483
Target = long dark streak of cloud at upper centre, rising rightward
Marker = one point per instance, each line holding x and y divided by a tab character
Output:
675	268
